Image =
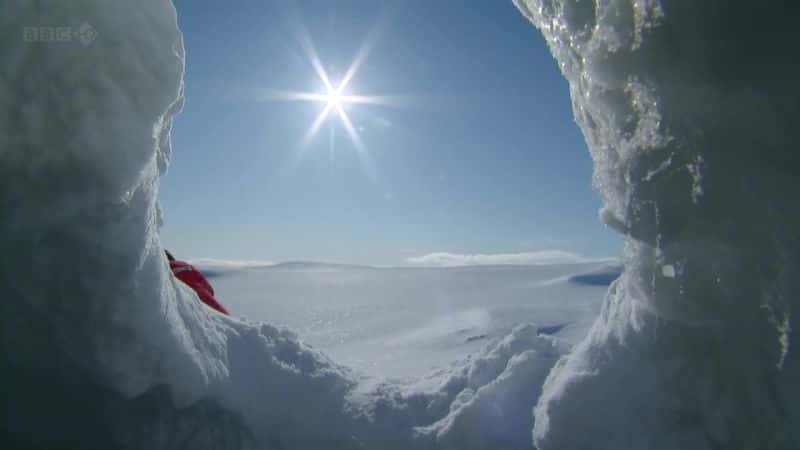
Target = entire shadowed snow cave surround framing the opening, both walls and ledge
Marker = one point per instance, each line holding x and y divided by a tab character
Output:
688	109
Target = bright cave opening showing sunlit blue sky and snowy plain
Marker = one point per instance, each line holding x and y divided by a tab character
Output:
453	150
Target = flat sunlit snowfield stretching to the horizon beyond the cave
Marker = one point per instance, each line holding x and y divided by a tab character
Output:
404	322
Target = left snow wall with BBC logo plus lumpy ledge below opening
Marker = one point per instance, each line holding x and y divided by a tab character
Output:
102	348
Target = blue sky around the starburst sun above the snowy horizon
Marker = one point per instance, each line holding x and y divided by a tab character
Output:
477	151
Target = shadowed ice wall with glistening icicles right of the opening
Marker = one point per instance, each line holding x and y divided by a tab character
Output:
690	112
